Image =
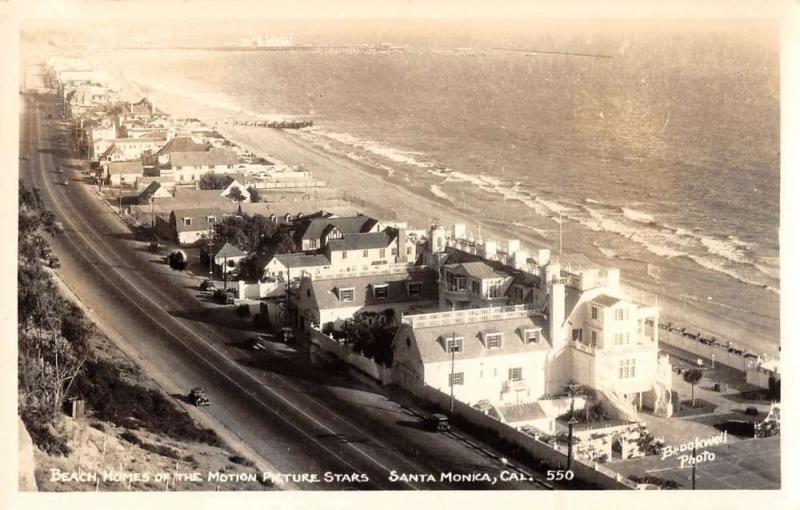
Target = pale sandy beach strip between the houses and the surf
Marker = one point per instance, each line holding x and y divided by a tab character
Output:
381	195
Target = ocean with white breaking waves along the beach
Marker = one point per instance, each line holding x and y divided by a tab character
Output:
662	160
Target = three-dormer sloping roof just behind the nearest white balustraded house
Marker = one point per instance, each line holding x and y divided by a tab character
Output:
325	291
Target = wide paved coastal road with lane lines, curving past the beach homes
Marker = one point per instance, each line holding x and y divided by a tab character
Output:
300	418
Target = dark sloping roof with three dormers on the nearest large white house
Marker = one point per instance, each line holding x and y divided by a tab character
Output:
431	340
